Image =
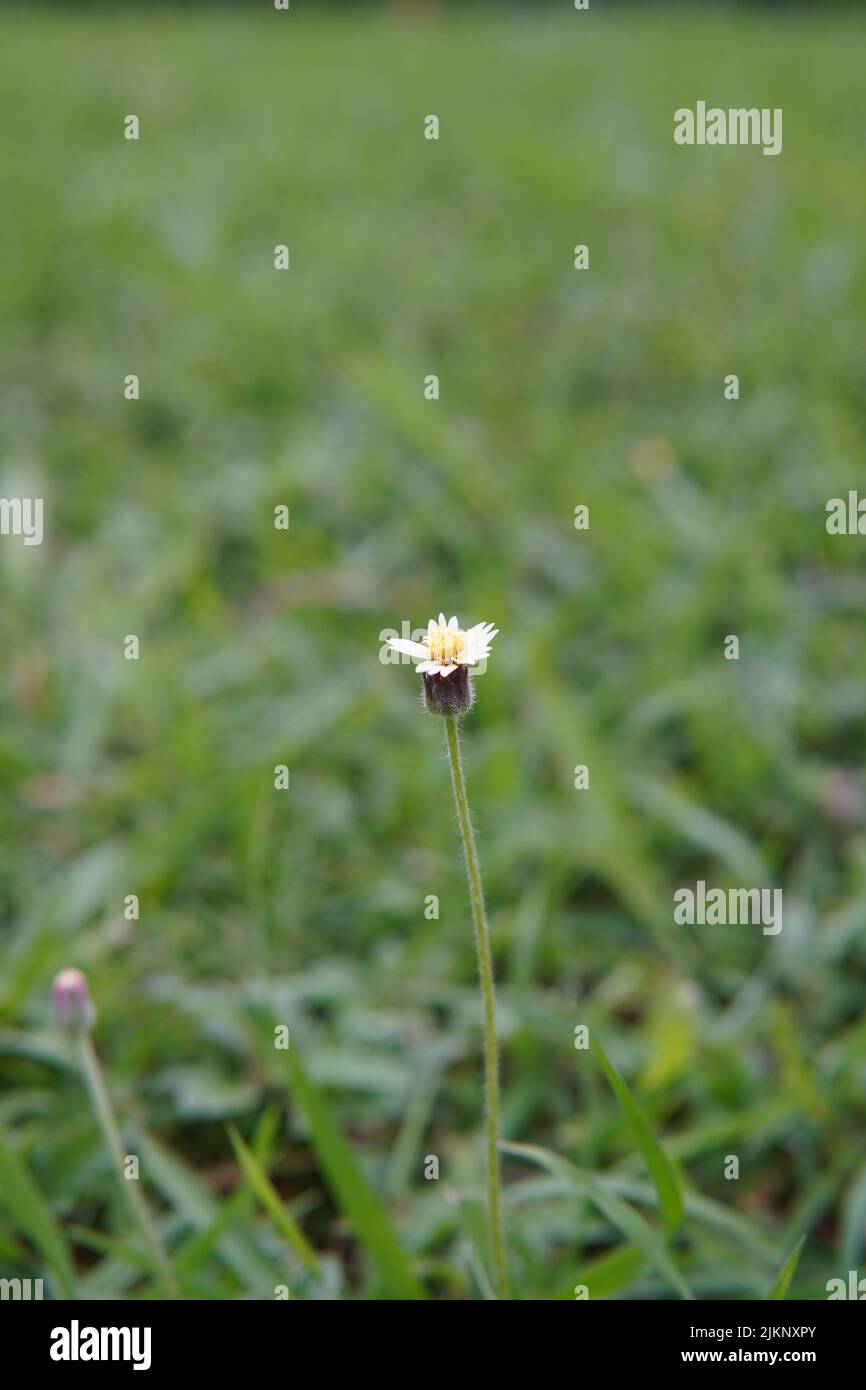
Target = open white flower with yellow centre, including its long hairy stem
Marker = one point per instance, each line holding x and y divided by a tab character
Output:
444	660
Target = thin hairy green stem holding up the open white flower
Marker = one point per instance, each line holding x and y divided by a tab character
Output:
486	972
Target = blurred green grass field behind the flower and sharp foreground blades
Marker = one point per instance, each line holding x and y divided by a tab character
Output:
259	647
